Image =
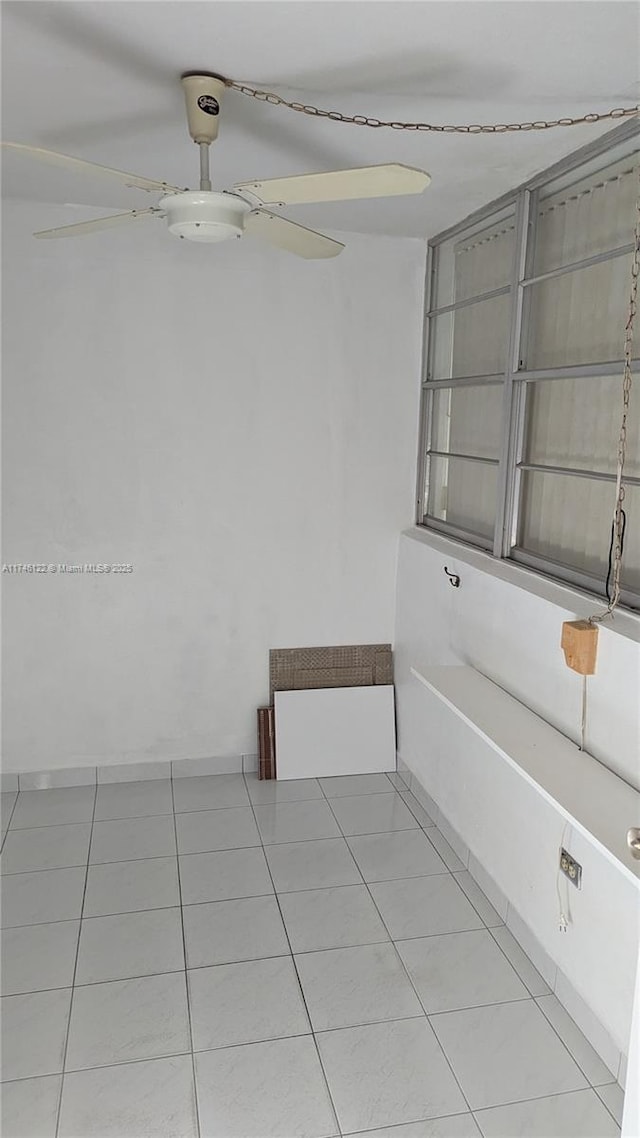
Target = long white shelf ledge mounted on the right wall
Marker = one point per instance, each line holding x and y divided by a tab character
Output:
594	799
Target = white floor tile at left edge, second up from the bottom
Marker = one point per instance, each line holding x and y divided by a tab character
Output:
34	1034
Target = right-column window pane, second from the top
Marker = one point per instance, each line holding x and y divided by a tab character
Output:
580	317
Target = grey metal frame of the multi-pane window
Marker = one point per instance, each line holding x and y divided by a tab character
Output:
516	377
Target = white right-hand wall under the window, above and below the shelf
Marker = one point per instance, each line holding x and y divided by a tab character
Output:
513	634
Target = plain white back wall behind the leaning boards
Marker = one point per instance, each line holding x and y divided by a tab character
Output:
239	425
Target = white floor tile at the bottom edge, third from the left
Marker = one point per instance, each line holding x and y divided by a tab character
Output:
265	1091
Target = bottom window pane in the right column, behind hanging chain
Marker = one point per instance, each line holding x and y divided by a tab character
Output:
569	521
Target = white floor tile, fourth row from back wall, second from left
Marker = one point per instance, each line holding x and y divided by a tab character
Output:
130	945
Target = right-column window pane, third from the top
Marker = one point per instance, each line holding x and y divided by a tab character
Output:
576	423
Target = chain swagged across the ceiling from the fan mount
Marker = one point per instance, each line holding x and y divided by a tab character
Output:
339	117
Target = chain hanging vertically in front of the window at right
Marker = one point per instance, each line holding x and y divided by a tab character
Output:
613	587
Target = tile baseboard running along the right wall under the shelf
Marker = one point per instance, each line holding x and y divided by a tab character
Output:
573	1003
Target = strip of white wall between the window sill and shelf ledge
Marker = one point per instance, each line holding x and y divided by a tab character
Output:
507	623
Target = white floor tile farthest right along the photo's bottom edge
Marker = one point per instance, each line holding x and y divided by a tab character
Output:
579	1115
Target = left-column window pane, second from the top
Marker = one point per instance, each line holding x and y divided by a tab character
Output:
472	341
